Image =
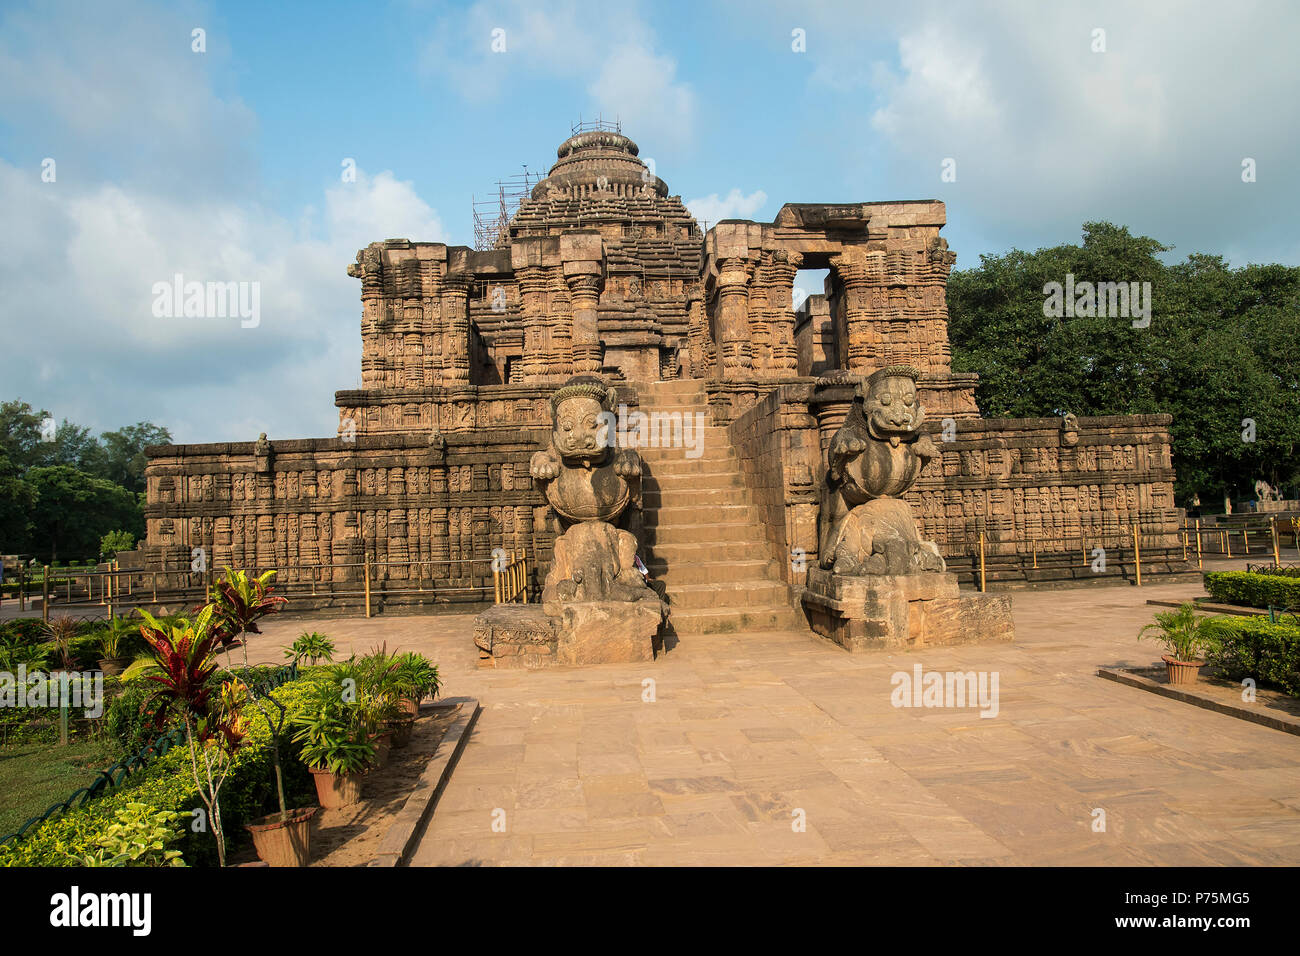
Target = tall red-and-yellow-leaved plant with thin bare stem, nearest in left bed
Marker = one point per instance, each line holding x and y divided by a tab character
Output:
215	728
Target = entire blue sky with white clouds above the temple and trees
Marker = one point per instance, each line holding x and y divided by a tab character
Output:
226	165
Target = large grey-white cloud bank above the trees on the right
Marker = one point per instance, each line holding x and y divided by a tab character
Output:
1048	133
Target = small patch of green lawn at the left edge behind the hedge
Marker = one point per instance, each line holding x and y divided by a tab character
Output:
36	776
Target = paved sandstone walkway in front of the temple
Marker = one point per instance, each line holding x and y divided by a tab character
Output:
749	734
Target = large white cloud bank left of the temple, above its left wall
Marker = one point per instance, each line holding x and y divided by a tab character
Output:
80	293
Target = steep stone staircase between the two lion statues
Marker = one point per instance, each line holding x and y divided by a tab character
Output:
704	538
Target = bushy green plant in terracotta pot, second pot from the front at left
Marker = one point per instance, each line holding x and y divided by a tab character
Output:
336	749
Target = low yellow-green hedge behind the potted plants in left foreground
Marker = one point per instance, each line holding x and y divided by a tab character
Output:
168	785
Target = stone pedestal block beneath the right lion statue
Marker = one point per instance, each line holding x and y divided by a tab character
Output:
903	612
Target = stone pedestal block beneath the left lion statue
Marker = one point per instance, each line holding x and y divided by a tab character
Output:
525	637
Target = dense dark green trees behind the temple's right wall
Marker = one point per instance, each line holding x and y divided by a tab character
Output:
1220	353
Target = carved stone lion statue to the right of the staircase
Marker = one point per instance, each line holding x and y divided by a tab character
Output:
876	457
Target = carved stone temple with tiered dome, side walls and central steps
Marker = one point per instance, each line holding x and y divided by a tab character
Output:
601	272
